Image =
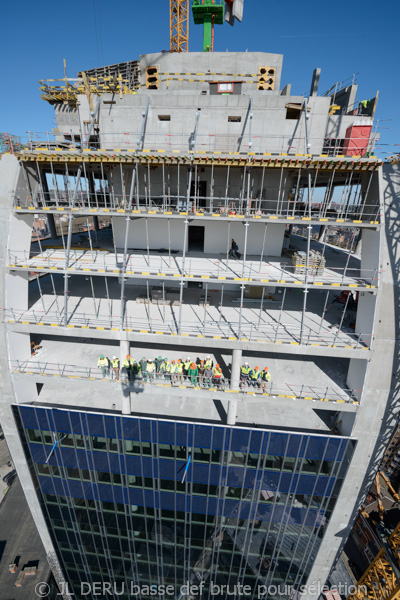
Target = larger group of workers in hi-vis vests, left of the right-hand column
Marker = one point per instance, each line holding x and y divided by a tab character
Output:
201	373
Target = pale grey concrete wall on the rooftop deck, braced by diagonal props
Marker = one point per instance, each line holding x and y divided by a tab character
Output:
120	123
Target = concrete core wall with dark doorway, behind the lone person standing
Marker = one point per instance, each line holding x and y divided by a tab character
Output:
217	236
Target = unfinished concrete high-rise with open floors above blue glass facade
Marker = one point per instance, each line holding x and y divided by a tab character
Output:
167	159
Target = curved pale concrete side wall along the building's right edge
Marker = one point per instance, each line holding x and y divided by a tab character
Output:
378	412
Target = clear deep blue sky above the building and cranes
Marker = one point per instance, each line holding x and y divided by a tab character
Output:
341	38
